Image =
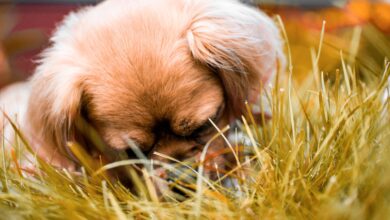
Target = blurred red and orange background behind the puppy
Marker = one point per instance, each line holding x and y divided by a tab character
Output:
360	28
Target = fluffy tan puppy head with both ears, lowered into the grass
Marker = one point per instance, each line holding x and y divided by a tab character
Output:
152	71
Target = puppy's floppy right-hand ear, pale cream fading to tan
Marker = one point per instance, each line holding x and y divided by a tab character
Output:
241	44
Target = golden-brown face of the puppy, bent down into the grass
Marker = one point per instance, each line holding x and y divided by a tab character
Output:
163	107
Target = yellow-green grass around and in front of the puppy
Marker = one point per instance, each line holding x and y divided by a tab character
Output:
325	154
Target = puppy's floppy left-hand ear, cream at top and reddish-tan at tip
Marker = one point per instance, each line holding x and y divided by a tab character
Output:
54	105
